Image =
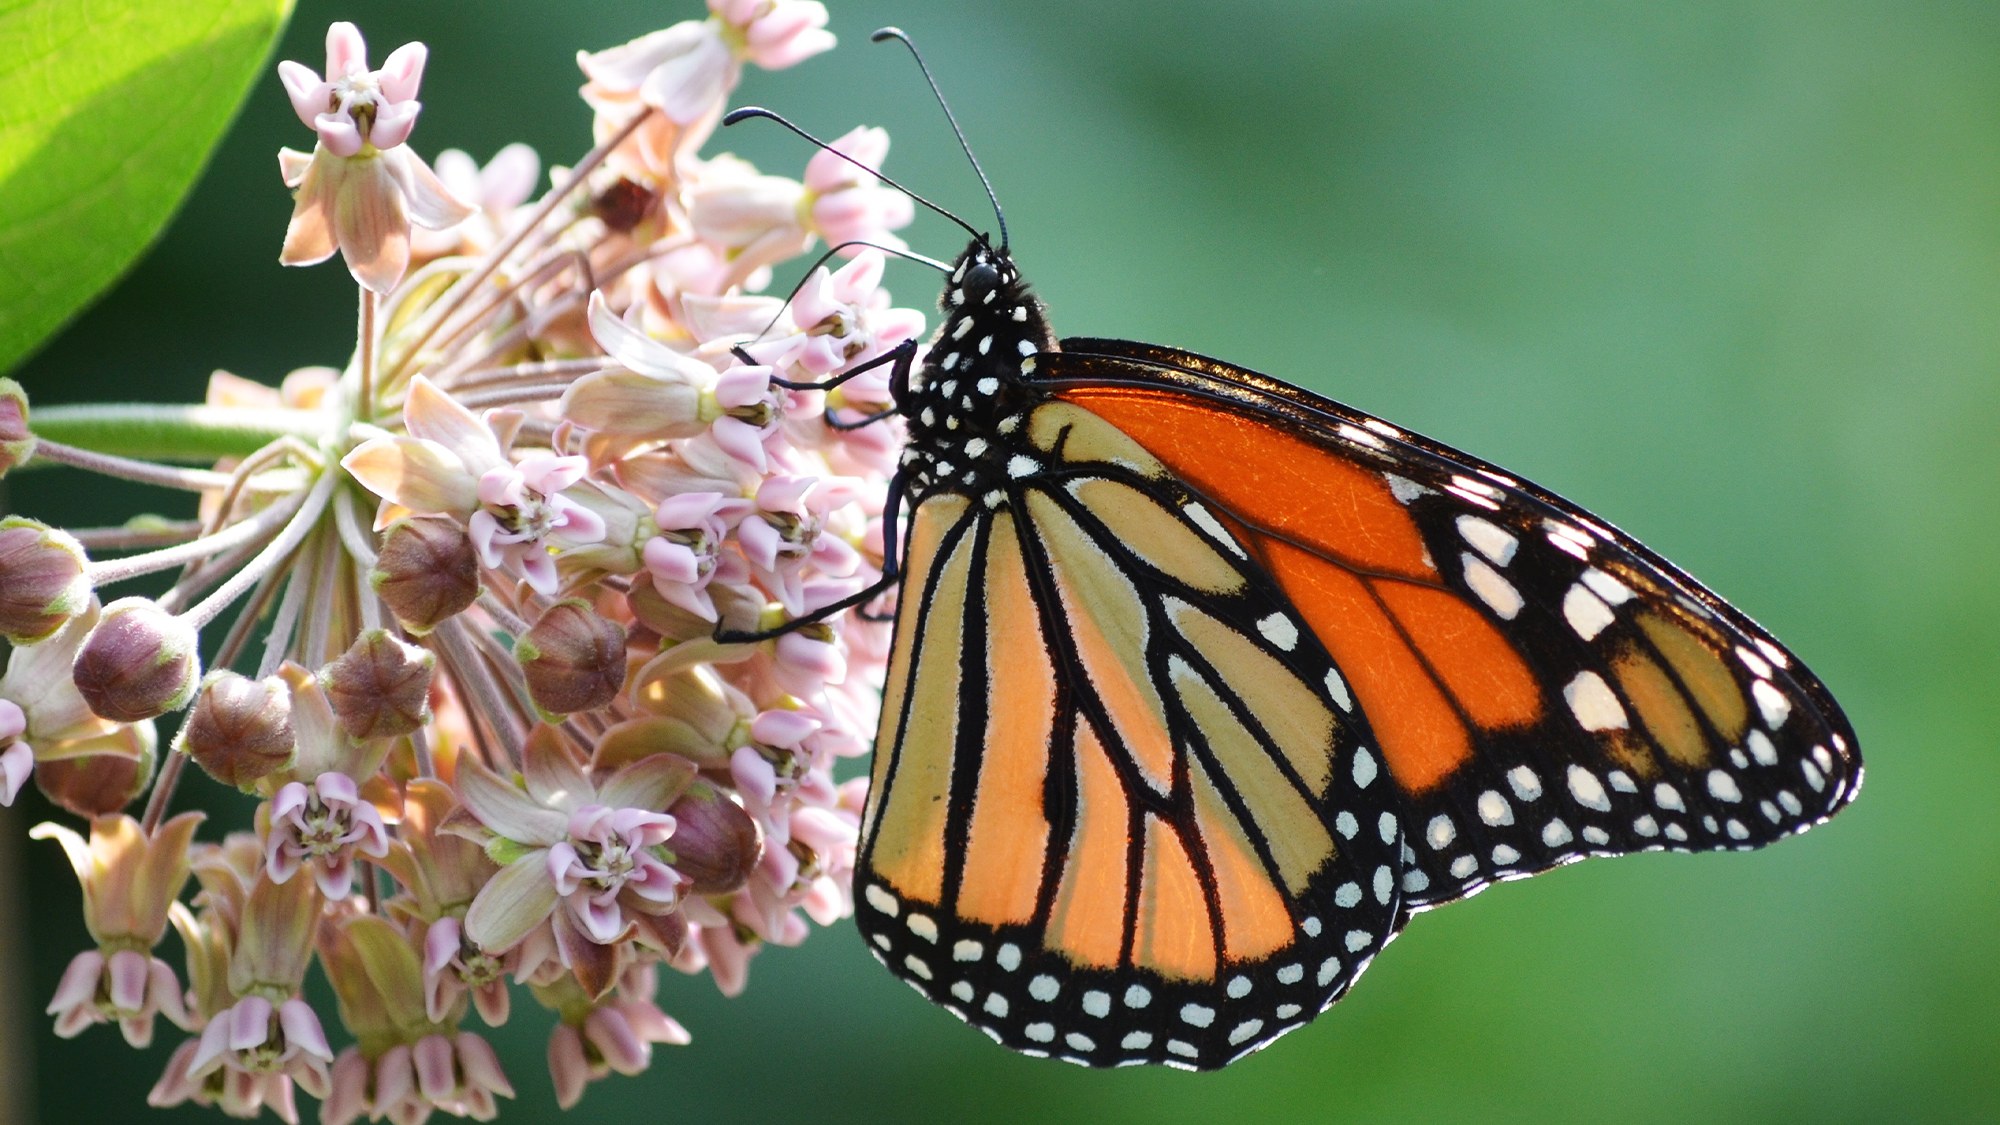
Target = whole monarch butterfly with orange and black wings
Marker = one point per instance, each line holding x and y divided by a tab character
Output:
1203	686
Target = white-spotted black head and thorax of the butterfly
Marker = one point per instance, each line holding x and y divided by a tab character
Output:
969	403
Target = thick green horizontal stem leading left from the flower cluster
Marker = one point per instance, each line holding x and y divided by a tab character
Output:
175	433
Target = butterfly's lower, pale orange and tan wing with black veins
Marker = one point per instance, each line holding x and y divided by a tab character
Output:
1119	814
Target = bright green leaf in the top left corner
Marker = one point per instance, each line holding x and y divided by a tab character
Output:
109	109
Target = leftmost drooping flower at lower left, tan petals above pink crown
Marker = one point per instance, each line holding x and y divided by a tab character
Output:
131	884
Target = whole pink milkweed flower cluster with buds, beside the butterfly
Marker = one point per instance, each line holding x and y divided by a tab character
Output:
535	628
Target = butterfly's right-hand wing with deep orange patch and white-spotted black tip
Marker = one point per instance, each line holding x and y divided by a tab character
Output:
1541	688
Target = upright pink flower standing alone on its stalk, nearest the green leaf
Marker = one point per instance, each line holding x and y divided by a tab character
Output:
361	189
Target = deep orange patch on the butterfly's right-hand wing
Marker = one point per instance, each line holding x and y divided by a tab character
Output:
1421	660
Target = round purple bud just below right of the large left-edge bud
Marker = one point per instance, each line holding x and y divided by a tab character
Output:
141	662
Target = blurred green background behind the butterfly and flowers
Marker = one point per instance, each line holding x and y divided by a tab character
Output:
1727	273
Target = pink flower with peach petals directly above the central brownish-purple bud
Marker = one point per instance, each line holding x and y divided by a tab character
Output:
455	465
